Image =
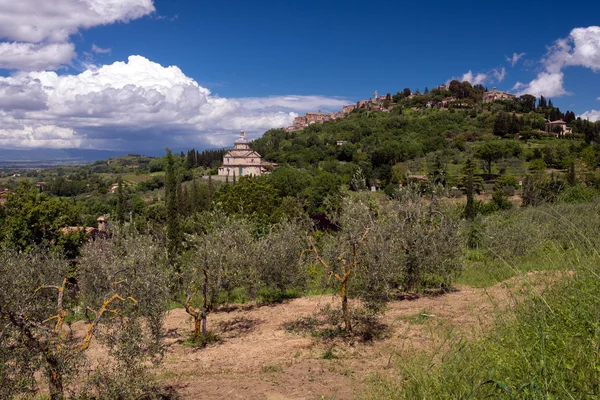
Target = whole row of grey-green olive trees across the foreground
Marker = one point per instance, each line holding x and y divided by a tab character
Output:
121	285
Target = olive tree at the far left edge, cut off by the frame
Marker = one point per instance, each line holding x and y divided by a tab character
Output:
32	314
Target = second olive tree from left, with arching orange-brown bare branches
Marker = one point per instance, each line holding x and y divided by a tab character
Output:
129	271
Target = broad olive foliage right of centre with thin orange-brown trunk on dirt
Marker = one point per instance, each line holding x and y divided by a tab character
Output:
383	249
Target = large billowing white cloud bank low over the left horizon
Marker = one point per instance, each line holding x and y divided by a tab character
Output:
136	104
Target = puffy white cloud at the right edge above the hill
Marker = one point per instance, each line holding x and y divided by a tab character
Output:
581	48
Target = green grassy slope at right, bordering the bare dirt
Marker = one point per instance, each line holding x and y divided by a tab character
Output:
548	345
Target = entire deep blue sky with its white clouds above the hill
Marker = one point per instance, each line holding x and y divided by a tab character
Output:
254	65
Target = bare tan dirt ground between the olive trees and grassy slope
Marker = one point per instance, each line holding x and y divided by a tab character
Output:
258	359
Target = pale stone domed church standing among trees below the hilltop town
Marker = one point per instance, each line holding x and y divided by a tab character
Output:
243	161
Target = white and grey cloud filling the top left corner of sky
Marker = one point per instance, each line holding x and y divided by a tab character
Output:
37	32
